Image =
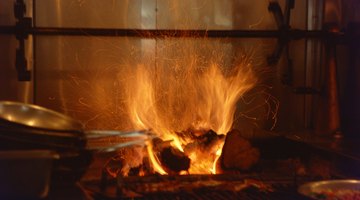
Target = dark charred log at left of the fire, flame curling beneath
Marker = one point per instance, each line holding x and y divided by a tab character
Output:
172	160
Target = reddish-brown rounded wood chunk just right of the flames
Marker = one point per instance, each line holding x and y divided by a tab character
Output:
238	153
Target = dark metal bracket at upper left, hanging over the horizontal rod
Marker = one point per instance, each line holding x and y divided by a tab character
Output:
23	23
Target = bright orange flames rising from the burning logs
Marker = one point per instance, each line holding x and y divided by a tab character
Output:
187	90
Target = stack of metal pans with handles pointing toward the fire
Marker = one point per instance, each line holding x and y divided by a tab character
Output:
31	127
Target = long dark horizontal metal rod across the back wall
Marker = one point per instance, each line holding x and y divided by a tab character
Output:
168	33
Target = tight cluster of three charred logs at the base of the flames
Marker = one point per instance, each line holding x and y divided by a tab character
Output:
237	153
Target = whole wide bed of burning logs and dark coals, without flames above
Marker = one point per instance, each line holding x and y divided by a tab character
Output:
210	153
